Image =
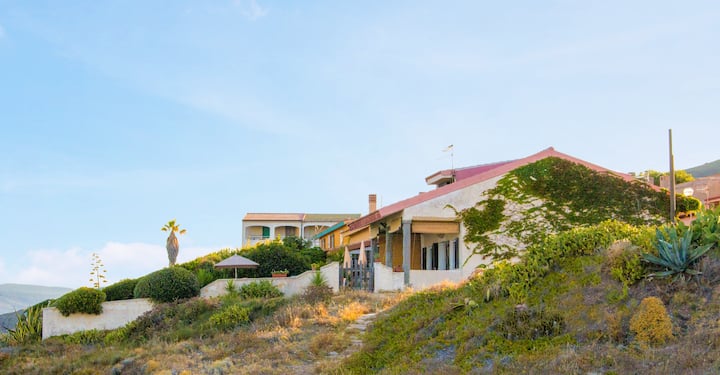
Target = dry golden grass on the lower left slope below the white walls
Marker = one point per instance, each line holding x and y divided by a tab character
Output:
298	337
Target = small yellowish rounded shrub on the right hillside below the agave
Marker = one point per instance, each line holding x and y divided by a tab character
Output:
651	323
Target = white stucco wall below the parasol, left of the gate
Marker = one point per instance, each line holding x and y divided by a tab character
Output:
290	286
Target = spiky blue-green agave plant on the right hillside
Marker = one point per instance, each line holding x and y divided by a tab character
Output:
676	254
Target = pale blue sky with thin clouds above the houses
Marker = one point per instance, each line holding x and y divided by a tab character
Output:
117	116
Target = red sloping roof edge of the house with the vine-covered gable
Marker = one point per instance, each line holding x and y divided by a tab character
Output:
493	170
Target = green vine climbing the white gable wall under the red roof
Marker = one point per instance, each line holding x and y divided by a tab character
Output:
553	195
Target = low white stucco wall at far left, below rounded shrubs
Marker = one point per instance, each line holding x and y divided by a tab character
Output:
115	314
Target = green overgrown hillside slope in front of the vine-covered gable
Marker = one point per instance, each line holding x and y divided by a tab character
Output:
563	310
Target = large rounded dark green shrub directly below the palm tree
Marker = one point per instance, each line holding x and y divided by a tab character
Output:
168	285
